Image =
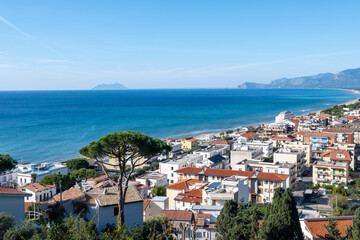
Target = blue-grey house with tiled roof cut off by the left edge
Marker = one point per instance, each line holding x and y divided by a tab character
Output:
12	202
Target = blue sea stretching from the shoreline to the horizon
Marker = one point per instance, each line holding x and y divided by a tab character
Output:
39	126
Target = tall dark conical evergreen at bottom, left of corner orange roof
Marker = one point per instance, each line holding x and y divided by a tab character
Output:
281	220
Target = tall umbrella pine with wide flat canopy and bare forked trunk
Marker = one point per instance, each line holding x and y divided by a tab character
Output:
128	148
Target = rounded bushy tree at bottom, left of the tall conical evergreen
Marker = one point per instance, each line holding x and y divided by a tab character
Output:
237	221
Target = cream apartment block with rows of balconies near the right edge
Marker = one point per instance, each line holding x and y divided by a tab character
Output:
330	173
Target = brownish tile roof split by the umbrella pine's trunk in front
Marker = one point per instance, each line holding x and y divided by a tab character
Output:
109	196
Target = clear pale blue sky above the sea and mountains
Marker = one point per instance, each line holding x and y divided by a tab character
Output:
70	45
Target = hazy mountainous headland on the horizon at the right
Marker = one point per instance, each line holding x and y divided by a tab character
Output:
349	78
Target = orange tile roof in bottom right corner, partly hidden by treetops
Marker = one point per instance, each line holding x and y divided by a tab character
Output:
317	228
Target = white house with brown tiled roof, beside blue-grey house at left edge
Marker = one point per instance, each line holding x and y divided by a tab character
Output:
39	192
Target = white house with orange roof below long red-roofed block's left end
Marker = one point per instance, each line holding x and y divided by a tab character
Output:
173	190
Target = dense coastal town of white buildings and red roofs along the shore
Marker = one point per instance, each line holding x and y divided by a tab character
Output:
316	156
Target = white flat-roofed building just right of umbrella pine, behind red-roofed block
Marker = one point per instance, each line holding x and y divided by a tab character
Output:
170	166
